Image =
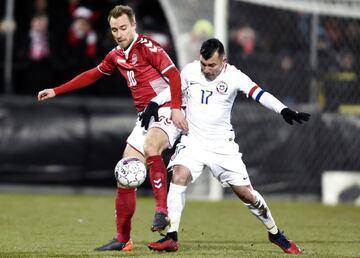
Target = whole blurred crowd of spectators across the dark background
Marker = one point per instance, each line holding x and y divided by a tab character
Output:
55	40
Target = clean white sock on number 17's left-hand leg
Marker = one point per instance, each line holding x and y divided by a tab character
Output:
176	203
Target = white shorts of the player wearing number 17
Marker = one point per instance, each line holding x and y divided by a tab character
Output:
228	169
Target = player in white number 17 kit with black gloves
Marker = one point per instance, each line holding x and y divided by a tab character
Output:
210	86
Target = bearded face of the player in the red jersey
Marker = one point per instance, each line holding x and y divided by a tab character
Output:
122	30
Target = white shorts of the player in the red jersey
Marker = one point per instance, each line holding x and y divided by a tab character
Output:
137	137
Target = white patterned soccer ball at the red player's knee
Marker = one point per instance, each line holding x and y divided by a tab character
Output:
130	172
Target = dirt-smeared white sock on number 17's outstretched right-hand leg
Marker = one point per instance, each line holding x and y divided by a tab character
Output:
262	212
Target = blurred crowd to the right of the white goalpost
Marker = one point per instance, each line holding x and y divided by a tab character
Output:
274	47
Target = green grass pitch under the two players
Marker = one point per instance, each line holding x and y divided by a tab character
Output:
39	225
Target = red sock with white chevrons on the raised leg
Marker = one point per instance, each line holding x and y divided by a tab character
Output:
158	179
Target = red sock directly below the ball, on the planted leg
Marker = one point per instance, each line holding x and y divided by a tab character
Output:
125	204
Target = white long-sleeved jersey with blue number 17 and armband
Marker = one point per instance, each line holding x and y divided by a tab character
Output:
209	104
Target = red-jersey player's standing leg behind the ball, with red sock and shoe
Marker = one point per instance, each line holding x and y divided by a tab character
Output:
125	204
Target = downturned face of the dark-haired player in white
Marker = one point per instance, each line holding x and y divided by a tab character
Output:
212	67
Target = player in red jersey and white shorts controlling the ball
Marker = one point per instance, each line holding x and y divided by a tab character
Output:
148	71
